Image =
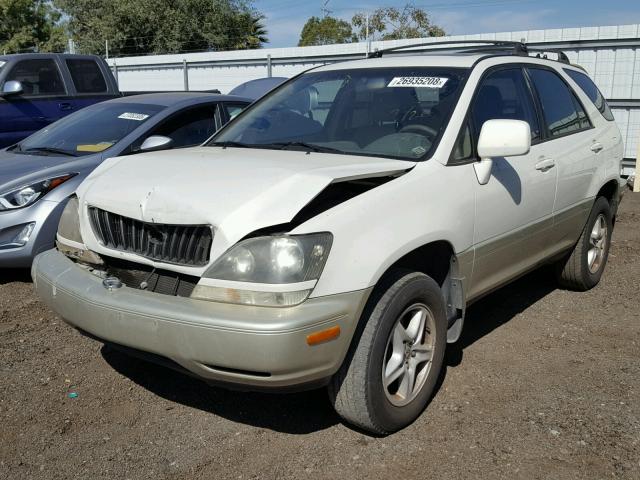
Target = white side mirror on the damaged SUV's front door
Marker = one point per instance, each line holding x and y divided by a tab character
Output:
500	138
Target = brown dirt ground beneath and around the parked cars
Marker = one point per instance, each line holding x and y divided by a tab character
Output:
545	384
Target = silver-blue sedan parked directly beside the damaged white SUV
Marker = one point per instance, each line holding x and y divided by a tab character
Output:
38	174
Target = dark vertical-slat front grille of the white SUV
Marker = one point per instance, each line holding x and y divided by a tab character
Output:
176	244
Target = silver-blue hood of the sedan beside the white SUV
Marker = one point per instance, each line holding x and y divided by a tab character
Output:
19	169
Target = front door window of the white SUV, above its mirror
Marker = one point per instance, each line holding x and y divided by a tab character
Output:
504	94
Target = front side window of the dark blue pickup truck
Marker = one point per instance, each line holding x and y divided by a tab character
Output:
38	77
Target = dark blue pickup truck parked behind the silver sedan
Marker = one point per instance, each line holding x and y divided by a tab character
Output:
38	89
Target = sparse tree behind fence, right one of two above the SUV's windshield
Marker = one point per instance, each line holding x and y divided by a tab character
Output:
391	23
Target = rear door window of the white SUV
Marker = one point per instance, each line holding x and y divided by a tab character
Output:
562	111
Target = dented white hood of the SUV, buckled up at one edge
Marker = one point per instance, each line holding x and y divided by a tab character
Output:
234	189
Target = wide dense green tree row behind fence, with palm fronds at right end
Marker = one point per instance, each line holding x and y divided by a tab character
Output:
135	27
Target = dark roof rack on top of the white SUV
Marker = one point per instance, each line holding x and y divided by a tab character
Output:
477	46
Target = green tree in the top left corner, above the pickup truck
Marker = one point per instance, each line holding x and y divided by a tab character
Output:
30	25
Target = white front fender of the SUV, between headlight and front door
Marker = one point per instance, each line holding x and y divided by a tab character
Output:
374	230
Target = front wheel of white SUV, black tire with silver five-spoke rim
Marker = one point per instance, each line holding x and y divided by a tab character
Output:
357	391
